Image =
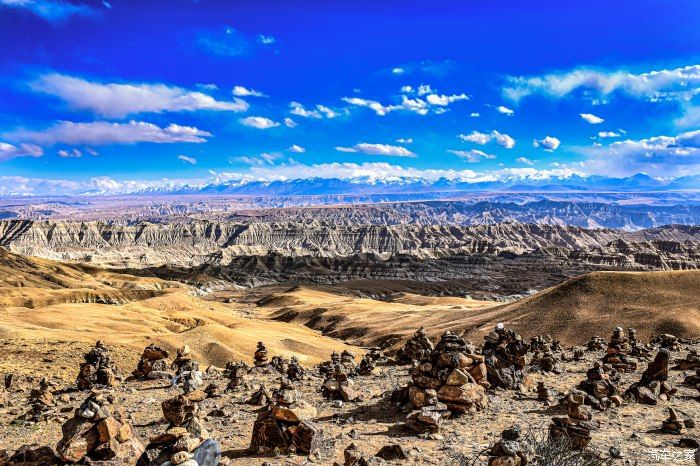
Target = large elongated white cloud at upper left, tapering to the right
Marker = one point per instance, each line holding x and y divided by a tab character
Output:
119	100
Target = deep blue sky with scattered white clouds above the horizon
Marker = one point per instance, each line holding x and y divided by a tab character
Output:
121	95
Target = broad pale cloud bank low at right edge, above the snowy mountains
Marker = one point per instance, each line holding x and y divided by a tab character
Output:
666	156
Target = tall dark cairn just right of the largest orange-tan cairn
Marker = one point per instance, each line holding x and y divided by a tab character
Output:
504	352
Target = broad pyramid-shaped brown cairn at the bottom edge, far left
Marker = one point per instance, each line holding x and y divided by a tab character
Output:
95	434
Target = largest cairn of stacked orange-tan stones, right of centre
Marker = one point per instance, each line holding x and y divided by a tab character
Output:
448	382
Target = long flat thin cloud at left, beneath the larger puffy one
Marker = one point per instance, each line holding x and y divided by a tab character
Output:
102	132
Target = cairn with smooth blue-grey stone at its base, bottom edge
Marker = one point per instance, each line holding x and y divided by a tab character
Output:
186	441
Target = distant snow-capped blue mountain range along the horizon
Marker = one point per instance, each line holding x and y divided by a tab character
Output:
364	185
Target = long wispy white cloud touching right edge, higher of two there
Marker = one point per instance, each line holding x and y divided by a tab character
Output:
677	84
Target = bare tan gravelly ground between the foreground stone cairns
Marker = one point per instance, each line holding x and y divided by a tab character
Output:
371	422
